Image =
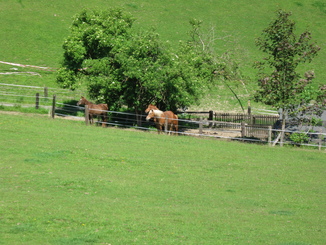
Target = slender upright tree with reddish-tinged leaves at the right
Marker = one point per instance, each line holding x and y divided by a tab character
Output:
280	84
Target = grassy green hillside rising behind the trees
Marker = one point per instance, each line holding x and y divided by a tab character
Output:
33	31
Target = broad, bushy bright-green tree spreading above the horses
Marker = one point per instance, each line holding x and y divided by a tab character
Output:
123	67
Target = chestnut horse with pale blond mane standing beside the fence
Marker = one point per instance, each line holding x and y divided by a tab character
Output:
160	118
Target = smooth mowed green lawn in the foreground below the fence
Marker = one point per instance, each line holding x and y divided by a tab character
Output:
66	183
